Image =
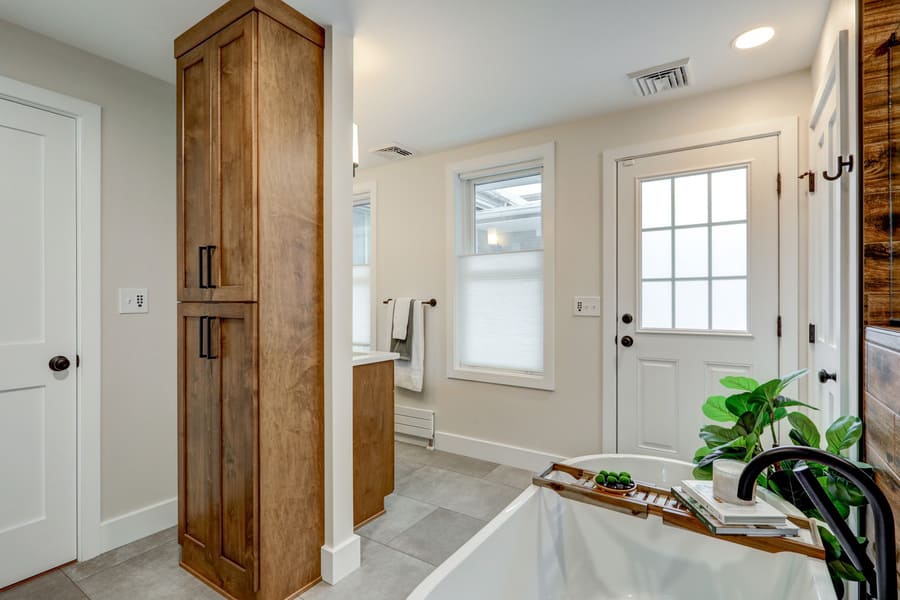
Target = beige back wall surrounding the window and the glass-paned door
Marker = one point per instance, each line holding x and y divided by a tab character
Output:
411	226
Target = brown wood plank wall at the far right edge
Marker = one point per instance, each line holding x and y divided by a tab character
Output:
881	404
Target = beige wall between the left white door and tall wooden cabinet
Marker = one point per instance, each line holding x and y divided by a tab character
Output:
138	435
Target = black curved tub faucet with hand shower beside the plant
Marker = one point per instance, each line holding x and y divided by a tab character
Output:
880	577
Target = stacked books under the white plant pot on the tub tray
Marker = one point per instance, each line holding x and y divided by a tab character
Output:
721	518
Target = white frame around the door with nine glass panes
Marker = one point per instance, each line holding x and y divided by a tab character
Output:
790	238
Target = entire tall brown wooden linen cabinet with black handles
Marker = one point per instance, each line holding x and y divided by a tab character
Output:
250	286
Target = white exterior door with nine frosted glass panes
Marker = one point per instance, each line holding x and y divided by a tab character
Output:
697	286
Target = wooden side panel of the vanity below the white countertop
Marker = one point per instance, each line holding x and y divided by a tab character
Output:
373	439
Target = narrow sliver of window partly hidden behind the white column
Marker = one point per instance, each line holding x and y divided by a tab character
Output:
362	272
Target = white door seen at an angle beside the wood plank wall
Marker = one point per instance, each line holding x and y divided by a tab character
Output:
829	219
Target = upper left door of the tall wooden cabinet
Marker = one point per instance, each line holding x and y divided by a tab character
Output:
194	172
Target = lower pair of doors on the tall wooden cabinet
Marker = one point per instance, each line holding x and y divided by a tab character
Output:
218	444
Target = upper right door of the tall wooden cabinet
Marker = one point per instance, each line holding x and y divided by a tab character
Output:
234	194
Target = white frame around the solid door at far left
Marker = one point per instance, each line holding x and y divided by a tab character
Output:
87	199
